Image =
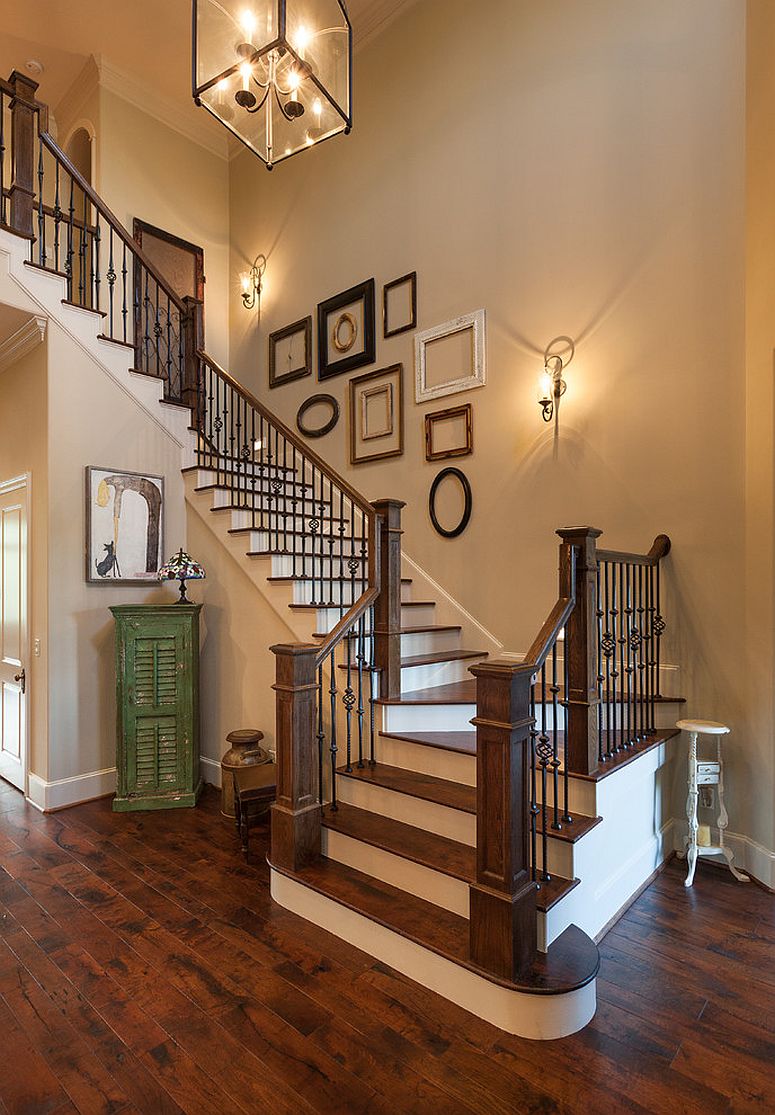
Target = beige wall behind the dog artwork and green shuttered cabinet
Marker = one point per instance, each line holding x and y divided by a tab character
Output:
93	421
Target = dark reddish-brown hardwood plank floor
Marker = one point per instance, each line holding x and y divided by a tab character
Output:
143	968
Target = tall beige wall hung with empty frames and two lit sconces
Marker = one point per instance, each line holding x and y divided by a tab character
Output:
575	169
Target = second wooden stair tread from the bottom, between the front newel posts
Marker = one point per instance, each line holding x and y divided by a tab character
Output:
439	854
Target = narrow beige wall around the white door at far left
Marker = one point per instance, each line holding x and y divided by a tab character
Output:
24	450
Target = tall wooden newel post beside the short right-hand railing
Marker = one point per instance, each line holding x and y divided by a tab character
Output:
582	649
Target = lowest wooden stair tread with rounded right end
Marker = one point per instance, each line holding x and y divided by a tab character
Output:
571	962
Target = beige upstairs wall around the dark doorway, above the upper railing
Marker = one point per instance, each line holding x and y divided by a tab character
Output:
147	170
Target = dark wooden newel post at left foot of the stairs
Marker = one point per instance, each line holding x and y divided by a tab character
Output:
296	816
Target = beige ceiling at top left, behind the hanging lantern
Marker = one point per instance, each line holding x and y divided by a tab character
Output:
148	41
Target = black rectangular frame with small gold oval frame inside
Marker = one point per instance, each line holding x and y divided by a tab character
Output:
346	331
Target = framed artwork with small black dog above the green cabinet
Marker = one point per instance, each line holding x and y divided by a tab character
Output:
124	527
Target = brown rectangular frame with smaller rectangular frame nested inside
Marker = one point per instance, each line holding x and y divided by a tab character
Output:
377	415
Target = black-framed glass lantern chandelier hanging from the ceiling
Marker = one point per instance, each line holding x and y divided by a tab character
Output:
276	73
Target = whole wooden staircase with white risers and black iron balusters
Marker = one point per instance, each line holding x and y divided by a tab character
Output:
474	823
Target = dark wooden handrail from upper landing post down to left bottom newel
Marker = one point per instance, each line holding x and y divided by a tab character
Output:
360	607
